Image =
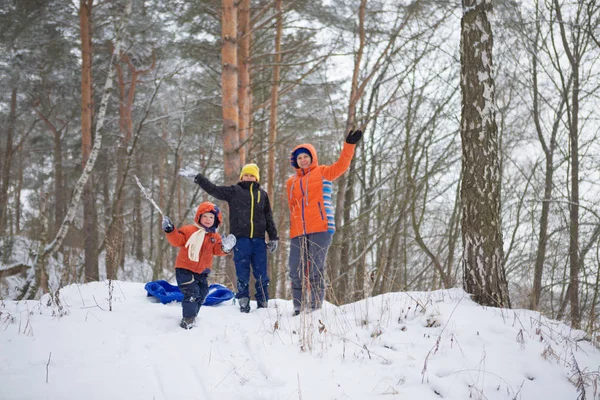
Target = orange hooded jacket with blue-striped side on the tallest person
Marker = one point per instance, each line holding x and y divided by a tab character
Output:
309	192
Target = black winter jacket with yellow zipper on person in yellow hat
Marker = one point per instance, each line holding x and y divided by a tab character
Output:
250	212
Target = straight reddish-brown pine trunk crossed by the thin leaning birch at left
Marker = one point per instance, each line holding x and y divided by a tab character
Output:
90	229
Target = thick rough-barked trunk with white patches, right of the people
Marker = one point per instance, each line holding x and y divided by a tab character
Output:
483	254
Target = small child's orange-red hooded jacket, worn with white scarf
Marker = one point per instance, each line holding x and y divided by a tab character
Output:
211	246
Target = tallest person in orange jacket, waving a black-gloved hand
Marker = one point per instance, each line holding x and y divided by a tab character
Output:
312	224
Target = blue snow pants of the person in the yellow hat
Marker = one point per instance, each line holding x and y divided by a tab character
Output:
251	254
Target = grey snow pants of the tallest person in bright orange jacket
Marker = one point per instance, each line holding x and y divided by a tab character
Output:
307	269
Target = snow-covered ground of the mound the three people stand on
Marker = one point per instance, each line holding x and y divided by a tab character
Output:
422	346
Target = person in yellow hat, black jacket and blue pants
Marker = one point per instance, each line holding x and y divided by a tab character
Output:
250	216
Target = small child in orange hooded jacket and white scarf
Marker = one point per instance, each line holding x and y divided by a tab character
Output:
197	243
